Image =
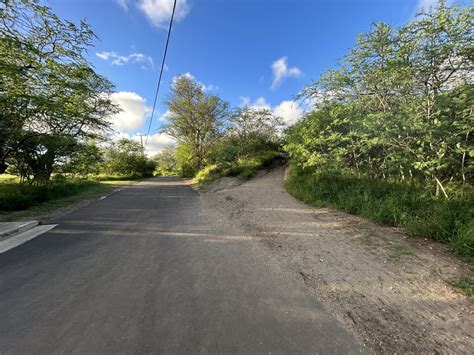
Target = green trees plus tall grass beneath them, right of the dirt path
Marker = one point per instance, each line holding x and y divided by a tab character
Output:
391	133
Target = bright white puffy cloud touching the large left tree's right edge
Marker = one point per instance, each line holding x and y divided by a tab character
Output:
134	110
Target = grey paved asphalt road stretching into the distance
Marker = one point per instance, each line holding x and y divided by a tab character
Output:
149	270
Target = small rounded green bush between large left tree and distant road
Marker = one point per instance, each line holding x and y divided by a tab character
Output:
126	157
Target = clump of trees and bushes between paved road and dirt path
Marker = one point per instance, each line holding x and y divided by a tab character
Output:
213	140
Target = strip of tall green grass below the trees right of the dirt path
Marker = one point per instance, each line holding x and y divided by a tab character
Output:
411	207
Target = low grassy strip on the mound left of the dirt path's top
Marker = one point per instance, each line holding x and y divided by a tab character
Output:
243	168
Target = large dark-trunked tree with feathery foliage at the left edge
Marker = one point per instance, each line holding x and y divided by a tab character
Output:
51	99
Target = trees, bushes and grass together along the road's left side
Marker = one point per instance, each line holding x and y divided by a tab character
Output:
54	113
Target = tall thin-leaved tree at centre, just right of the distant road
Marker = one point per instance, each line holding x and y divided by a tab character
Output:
195	118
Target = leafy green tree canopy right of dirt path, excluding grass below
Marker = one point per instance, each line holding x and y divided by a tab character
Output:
401	104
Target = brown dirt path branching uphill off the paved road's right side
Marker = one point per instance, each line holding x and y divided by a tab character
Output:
391	291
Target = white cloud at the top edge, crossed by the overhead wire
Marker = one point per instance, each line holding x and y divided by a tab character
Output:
158	12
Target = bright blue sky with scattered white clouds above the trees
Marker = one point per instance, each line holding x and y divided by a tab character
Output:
258	52
